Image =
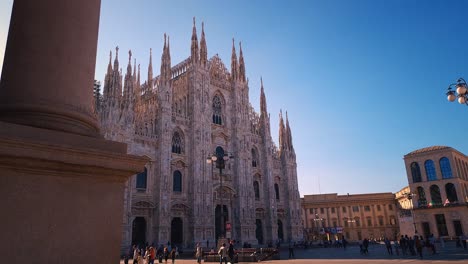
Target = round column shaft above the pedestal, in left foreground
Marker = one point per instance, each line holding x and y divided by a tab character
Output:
48	70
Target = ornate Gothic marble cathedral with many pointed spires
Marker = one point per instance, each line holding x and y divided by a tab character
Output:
180	119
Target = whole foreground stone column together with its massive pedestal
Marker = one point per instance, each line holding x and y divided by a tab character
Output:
61	183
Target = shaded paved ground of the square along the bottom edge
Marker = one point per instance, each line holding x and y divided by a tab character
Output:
377	254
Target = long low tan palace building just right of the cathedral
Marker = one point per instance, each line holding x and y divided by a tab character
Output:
357	216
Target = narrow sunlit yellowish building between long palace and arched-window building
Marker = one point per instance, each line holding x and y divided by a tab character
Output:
405	208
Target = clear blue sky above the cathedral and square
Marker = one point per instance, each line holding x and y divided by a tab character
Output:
363	81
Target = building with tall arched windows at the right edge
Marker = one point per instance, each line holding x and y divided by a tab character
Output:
438	178
